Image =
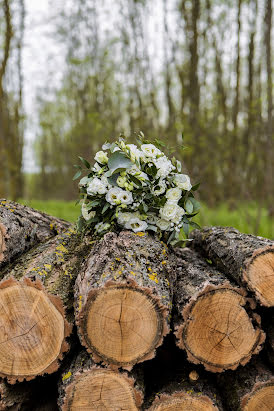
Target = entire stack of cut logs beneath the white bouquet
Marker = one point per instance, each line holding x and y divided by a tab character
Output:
127	323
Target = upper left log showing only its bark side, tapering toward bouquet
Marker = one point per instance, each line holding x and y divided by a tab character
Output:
22	227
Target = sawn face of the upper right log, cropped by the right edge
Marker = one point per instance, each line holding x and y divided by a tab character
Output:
259	275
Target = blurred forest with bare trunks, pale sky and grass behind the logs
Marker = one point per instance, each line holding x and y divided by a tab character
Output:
194	73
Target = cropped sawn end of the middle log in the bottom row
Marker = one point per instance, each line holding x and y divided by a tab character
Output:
183	401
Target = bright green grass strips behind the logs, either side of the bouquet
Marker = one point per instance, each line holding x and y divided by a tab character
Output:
244	218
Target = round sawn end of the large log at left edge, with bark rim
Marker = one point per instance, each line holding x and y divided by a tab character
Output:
32	330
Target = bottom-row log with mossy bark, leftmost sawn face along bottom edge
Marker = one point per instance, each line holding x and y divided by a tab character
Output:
86	386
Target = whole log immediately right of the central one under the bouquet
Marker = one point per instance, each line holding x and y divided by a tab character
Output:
214	323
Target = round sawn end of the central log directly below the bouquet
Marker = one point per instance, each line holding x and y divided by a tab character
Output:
122	324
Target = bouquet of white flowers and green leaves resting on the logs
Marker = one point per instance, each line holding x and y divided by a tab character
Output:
138	188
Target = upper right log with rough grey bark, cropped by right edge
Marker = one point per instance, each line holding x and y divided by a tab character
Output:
245	258
